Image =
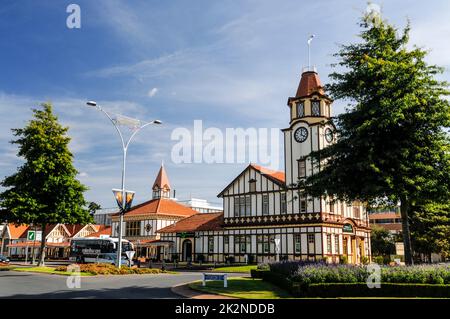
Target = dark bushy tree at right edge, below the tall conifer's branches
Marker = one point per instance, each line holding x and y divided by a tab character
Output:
430	229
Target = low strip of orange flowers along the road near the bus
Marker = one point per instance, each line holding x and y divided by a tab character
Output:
106	269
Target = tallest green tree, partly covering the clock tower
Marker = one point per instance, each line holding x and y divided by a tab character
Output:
391	143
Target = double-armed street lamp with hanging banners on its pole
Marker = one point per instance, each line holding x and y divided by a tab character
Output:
124	198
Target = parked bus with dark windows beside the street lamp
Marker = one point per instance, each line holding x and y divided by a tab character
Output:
93	249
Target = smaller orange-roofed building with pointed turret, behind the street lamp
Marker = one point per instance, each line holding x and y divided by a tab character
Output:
142	221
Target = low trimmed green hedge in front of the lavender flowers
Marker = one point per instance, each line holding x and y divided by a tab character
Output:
333	290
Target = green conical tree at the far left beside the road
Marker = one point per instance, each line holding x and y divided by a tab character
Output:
44	189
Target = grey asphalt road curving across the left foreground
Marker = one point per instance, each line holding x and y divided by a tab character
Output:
14	284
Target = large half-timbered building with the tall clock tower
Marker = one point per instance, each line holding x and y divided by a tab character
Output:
265	218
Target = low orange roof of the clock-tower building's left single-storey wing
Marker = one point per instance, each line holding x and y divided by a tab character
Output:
197	222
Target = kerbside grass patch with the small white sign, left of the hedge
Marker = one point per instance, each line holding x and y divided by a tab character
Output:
245	288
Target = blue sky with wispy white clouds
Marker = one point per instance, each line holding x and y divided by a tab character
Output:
230	64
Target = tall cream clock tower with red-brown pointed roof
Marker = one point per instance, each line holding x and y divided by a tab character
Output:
309	110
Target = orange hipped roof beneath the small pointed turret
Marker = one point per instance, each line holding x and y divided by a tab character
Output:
161	206
